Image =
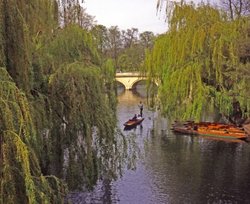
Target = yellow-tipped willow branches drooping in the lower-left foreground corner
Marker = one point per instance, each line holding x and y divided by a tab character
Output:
20	174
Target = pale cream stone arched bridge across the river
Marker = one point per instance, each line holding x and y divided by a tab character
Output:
129	79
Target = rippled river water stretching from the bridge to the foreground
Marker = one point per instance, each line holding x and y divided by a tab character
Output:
174	169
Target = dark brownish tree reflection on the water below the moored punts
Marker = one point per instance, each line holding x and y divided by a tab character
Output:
218	168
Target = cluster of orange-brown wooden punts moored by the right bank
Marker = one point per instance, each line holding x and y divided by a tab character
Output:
209	129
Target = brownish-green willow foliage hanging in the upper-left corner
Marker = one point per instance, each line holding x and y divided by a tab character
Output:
22	24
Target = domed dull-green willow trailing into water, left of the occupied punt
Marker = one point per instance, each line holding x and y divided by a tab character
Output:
82	117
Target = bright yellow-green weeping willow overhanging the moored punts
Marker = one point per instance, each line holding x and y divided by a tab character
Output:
196	62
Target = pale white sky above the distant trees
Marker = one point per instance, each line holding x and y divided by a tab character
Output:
127	14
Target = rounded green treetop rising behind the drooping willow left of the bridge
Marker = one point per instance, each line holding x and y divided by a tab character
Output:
70	44
